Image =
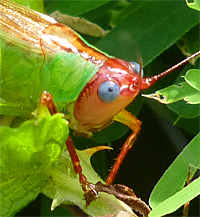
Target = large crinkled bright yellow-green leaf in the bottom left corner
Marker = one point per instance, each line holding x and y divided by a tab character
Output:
27	153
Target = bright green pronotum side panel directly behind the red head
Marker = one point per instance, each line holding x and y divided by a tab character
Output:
66	75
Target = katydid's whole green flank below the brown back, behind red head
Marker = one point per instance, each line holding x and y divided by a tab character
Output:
25	74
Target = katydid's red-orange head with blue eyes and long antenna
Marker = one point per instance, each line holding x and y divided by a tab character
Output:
114	87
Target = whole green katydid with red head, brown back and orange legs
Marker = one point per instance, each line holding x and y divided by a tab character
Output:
41	55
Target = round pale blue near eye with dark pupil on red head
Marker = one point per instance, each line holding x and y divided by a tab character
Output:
108	91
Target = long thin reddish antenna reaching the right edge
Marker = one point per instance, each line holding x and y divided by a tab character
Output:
148	82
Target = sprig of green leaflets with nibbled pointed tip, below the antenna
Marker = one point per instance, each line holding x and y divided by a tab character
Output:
183	98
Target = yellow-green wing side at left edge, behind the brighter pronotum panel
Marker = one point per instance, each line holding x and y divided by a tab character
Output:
20	82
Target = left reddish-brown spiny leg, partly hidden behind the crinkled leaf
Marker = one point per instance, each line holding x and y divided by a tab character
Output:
89	189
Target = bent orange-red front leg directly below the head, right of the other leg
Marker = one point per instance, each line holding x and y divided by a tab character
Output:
128	119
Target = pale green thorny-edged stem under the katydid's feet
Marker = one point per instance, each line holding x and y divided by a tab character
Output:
66	189
